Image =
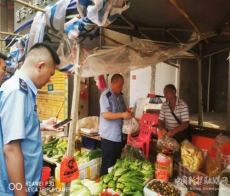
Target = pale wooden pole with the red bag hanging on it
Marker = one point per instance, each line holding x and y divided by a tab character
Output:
74	116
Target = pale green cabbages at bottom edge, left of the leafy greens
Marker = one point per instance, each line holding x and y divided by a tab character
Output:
85	188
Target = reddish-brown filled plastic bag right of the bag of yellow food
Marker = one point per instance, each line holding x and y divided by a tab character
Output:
212	162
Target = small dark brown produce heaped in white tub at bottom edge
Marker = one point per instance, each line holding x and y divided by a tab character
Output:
163	188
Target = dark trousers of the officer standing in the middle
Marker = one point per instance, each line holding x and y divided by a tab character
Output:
111	151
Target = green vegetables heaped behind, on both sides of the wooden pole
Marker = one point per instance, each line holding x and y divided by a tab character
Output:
57	148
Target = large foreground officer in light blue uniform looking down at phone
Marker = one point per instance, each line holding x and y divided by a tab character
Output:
20	138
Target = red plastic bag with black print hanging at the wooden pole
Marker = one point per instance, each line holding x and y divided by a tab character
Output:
69	169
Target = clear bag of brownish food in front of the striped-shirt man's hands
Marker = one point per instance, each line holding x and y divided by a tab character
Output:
168	143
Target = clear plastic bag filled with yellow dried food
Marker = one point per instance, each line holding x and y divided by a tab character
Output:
192	157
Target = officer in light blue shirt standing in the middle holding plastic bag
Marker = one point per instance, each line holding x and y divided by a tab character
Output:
112	113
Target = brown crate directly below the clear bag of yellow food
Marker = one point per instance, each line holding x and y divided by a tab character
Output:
198	181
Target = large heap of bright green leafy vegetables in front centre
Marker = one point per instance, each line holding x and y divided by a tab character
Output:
128	176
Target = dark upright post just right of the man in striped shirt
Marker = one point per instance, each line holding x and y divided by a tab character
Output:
200	104
